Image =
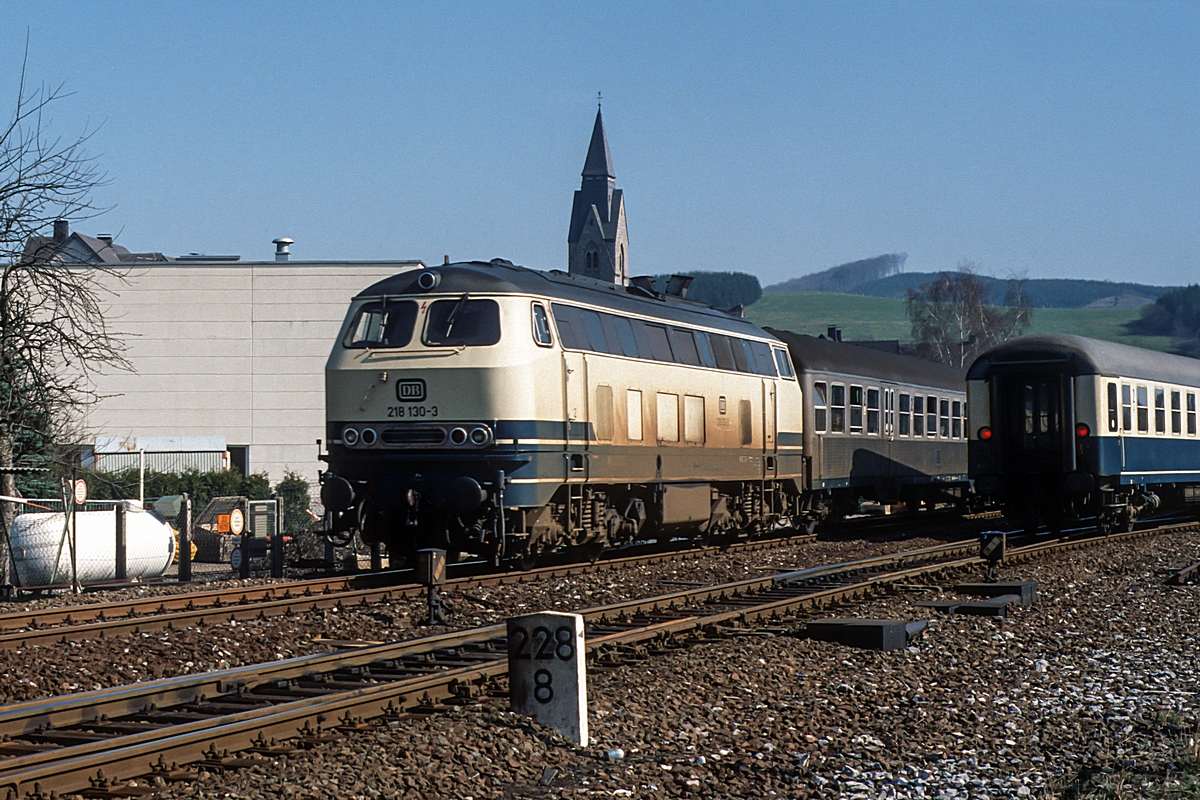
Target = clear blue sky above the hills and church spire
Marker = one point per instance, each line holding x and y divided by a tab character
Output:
1059	139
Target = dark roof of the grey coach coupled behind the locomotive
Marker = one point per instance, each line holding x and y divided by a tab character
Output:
814	354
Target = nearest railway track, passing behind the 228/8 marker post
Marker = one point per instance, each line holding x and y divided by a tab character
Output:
175	727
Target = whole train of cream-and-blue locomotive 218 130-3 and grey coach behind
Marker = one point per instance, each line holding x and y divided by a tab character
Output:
493	410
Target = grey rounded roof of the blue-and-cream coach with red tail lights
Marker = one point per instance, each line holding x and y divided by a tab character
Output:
1085	357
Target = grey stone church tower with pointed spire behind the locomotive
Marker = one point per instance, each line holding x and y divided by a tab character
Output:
598	242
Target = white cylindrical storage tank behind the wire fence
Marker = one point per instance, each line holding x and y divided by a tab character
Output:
38	539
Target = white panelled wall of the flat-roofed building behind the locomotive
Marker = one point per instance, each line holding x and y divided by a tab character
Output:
232	350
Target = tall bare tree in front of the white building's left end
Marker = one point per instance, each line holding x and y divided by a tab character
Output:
53	335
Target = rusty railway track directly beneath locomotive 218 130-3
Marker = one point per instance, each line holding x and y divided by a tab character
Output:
189	610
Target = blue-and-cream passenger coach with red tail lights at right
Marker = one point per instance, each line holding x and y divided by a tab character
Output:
1066	428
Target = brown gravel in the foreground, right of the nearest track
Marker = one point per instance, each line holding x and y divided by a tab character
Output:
1093	693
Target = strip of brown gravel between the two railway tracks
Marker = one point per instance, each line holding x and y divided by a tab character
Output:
61	669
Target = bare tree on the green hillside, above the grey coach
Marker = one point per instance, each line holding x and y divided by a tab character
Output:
952	318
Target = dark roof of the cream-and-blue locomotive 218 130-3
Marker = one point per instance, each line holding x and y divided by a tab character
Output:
503	278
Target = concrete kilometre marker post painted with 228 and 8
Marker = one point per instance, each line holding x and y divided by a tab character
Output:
548	673
